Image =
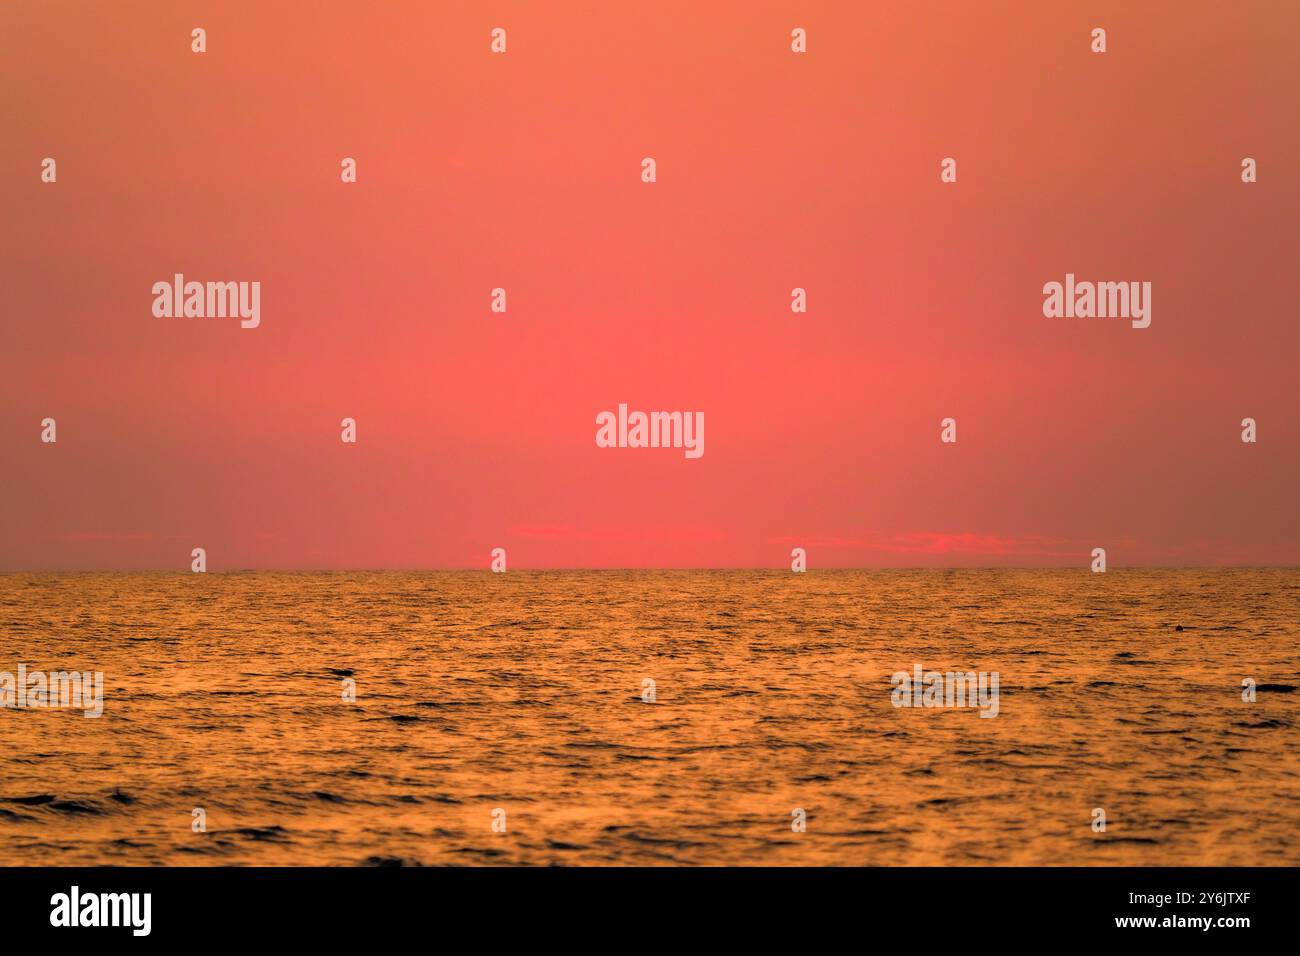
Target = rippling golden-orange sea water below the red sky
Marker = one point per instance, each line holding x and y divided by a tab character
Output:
525	694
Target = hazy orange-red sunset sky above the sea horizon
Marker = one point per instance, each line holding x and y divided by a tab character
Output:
523	171
